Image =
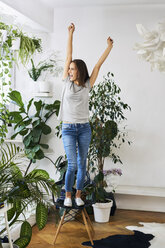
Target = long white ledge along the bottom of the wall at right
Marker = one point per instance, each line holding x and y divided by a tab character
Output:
140	198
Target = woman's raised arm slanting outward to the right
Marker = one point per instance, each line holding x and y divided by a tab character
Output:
101	61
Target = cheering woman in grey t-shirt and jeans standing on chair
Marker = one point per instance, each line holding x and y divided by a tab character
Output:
74	114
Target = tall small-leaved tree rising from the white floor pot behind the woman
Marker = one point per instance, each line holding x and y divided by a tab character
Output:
106	117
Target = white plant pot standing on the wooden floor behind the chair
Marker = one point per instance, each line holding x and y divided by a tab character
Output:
102	211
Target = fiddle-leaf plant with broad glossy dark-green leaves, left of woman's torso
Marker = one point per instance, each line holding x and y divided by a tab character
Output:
32	125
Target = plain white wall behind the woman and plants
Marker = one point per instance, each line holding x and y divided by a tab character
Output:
143	90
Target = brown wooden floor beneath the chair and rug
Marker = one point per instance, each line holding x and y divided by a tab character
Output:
73	233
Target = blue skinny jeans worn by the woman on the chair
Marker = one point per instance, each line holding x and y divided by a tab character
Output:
76	139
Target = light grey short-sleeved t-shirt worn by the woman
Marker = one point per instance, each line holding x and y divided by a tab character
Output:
74	102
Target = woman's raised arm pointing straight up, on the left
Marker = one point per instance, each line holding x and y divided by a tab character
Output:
68	60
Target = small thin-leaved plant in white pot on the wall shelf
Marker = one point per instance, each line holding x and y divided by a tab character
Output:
43	69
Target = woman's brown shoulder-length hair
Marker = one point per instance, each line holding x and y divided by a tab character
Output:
83	74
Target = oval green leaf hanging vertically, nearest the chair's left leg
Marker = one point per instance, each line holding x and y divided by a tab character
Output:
41	215
